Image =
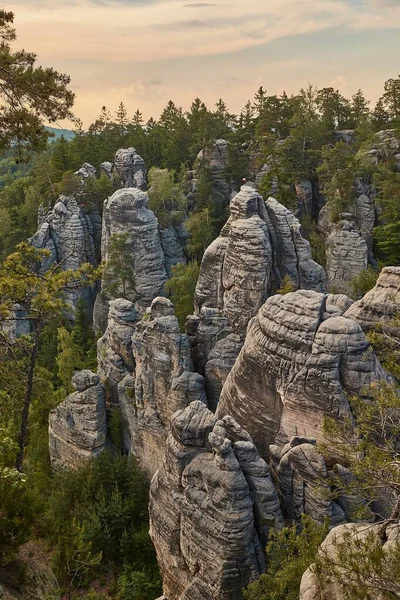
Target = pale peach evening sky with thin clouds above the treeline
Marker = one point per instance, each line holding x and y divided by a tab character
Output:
146	52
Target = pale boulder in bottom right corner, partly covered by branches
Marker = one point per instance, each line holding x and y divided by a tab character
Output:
332	587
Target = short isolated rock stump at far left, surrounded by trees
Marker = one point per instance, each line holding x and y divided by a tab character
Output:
77	427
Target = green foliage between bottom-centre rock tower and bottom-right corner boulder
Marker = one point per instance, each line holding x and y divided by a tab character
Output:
290	551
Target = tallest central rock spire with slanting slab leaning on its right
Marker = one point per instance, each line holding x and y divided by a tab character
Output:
260	244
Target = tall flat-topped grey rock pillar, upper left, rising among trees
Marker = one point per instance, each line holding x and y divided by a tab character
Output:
126	212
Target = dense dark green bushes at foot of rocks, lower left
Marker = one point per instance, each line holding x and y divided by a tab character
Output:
106	500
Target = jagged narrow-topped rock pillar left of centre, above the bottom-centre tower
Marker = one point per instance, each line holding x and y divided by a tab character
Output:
163	382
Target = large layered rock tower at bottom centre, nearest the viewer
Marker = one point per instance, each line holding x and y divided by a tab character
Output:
211	502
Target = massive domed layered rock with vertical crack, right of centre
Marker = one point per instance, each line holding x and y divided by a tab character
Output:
300	362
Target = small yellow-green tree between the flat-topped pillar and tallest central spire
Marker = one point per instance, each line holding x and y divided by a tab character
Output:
180	288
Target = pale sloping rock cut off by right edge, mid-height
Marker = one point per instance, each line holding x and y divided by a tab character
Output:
380	305
